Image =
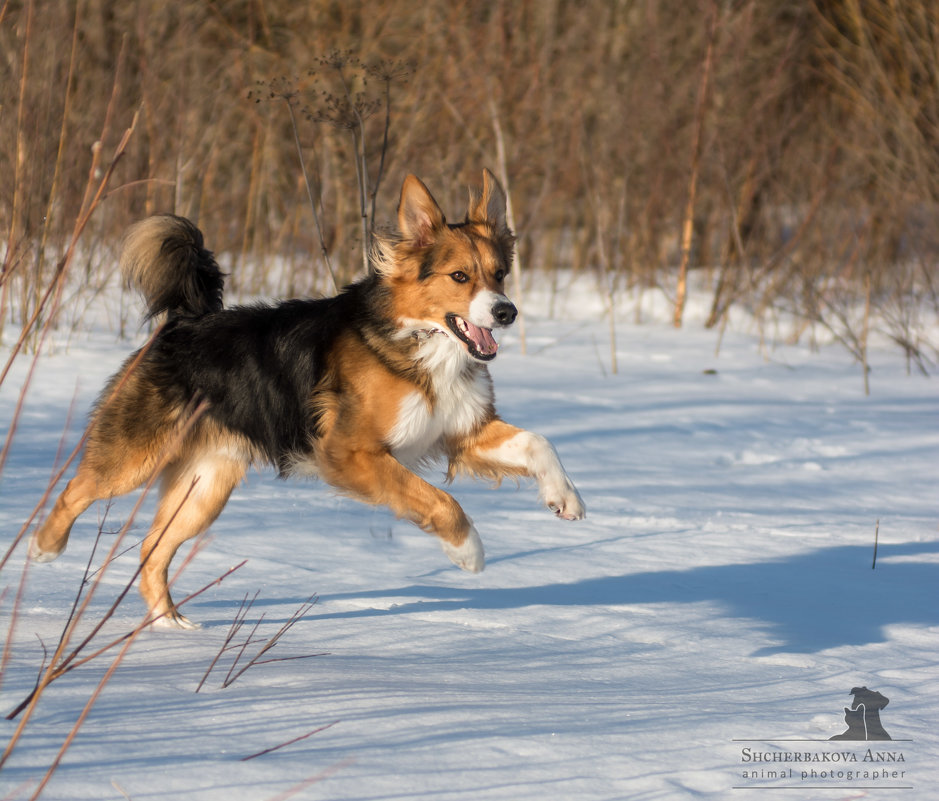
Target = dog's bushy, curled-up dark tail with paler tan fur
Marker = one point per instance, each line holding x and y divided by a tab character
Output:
165	258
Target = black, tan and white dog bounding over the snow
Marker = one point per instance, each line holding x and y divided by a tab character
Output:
358	389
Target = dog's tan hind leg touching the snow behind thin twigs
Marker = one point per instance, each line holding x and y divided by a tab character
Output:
193	494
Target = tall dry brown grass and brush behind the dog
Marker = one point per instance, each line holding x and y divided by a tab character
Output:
813	165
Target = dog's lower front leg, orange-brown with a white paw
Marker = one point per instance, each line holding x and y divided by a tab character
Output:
377	477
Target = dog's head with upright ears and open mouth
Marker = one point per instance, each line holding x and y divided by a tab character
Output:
448	279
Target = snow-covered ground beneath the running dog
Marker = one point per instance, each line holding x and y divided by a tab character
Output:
698	636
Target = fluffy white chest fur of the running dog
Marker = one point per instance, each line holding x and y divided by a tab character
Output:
463	401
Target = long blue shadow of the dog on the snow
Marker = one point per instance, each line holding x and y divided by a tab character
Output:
808	603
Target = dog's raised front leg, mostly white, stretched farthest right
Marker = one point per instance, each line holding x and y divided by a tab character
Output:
500	450
